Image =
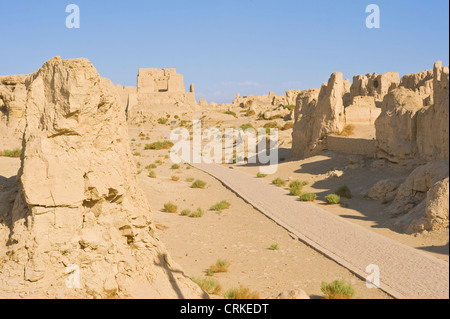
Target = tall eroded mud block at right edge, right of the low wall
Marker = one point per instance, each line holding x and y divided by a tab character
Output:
408	128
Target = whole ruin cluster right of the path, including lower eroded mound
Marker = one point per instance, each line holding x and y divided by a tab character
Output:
411	122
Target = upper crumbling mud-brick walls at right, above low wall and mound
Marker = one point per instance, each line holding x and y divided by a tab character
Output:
410	115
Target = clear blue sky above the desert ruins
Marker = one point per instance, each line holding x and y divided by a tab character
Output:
228	46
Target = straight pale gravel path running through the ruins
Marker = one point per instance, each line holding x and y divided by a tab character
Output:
405	272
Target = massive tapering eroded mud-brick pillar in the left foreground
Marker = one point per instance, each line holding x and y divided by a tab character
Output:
79	207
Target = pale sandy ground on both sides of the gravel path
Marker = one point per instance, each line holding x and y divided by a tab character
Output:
232	235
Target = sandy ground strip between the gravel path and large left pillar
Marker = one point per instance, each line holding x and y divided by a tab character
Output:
241	235
